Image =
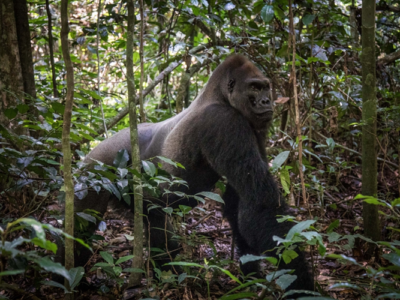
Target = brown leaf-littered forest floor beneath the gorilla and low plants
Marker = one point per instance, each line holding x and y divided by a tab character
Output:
208	239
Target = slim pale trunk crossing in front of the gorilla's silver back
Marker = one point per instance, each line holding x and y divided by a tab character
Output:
135	278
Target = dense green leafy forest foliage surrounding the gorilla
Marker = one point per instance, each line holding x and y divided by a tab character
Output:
328	62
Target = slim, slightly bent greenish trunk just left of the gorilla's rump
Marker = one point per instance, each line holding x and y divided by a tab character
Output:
68	183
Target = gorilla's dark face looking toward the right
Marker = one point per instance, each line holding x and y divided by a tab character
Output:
252	98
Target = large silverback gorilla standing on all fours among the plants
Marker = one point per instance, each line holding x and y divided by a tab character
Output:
222	133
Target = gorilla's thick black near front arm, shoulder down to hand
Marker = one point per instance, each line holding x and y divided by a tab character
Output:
254	204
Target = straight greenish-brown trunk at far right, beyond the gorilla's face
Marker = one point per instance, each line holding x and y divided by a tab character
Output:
369	154
